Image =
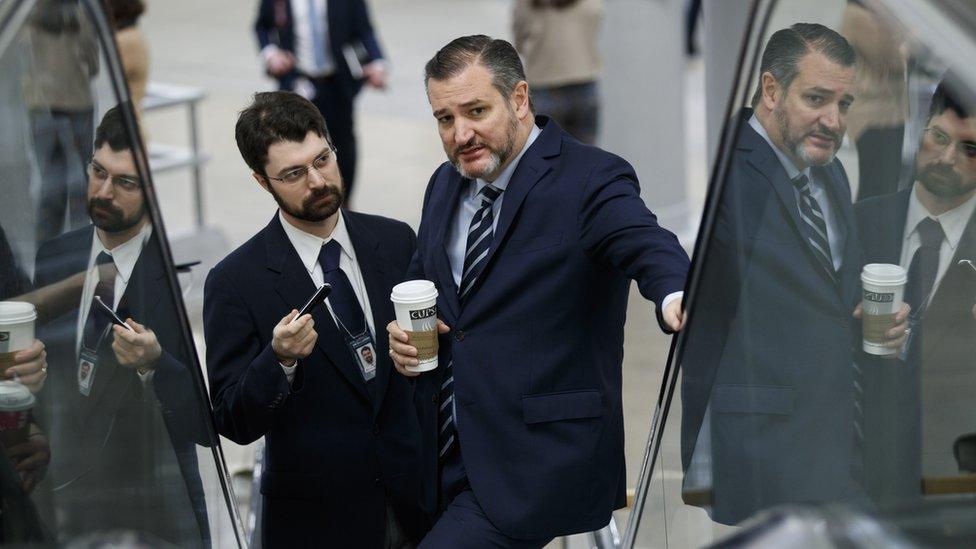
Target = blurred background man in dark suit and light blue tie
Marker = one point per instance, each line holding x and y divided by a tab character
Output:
323	50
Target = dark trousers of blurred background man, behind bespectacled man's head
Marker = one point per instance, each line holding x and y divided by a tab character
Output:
336	105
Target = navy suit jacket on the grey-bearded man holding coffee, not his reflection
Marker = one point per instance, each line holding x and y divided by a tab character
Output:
538	345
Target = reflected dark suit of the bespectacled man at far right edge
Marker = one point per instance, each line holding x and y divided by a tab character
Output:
933	389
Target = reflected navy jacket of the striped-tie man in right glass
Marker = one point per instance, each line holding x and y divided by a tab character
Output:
769	343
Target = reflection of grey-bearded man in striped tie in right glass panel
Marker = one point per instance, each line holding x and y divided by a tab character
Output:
769	360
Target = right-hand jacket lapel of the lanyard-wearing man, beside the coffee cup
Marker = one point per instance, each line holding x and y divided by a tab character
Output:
377	276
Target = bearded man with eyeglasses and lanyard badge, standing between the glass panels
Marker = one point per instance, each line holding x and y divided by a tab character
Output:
341	465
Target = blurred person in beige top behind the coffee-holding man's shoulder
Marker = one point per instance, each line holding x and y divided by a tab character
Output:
557	40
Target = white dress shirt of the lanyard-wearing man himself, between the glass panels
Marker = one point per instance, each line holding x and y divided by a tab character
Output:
308	247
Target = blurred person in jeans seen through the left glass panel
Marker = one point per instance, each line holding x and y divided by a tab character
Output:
59	94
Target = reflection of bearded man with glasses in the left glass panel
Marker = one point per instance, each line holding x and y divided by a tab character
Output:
120	406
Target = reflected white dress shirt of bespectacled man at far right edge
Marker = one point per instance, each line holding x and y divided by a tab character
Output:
953	225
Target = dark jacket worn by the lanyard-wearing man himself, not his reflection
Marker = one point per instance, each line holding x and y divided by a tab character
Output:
333	457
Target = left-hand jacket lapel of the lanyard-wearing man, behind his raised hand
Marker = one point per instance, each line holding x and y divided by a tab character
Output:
295	286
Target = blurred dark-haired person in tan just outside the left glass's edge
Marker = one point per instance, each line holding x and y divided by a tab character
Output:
133	50
